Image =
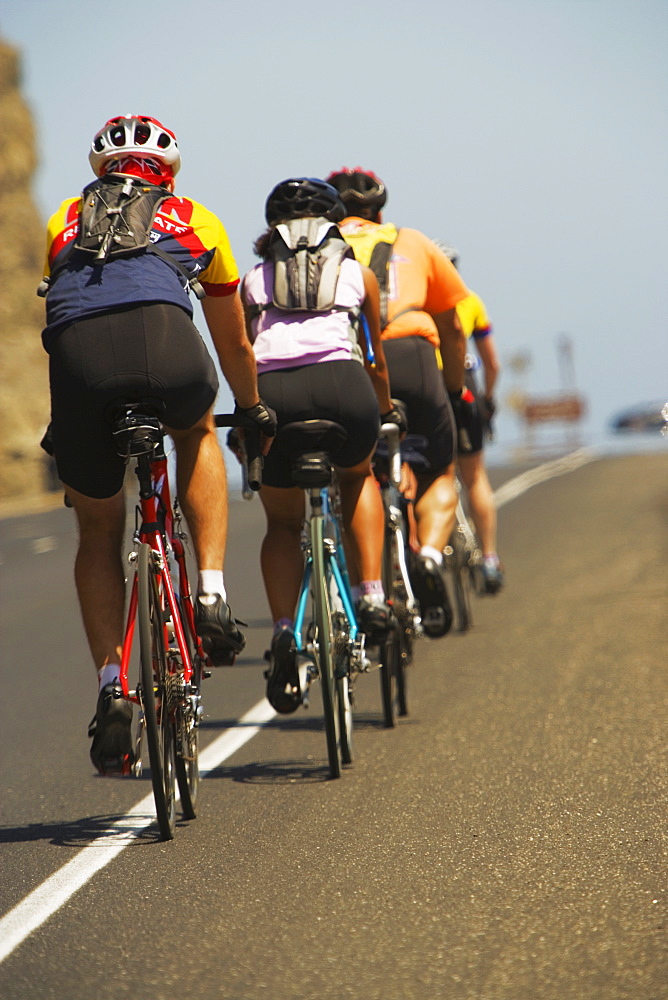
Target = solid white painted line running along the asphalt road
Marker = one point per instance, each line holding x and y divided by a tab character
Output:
47	898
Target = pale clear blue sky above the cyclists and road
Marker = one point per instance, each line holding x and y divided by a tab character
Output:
532	134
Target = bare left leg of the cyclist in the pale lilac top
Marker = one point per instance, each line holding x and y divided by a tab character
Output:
281	557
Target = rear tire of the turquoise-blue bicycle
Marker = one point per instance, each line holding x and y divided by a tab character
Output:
325	643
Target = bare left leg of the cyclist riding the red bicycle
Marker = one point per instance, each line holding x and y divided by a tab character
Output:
99	573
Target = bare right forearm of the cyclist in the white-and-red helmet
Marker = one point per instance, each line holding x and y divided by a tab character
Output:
225	319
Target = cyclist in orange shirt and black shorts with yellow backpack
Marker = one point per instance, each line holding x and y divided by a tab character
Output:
419	292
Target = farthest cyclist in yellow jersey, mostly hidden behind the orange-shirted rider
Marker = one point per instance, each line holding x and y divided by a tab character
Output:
473	425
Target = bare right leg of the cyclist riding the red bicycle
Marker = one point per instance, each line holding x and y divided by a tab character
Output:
202	490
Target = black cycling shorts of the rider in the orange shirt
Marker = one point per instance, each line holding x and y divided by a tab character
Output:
416	380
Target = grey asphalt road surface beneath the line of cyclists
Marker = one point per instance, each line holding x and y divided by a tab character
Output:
507	841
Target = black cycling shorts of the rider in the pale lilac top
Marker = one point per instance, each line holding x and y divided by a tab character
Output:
329	390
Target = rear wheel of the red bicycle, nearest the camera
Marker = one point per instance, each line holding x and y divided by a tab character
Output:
159	728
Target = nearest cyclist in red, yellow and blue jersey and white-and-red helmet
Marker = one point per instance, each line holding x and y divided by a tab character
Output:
119	327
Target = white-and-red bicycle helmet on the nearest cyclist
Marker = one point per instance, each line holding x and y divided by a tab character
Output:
134	135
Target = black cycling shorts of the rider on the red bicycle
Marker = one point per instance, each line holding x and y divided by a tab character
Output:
127	354
